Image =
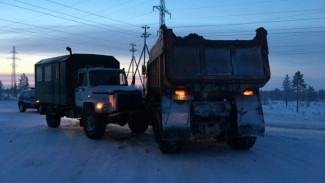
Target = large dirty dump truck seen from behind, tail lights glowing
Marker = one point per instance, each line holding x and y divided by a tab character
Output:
208	88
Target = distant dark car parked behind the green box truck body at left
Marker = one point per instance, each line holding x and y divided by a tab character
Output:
27	100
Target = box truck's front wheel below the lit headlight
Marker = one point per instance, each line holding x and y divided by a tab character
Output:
93	124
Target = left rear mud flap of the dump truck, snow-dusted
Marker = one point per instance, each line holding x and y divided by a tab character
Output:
175	119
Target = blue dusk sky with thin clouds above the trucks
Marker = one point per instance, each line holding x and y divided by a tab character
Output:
43	28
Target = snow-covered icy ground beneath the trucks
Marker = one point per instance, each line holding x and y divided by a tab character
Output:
32	152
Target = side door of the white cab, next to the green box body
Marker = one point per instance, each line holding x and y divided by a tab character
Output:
81	90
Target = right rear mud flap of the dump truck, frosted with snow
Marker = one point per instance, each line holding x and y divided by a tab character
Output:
250	119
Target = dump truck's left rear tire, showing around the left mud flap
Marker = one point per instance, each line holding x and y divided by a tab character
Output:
165	146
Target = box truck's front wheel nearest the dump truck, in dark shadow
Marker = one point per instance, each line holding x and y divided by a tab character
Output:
138	123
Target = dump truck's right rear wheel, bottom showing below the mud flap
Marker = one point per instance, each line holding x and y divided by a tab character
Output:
240	143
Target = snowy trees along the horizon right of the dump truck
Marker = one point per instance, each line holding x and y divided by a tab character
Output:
294	89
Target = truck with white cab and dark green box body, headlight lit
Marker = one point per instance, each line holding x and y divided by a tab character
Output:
91	88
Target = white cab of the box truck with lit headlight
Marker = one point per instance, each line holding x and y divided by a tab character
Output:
96	84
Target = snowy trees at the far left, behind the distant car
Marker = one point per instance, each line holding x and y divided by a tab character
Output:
13	91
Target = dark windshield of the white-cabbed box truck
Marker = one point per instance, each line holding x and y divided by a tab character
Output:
107	77
